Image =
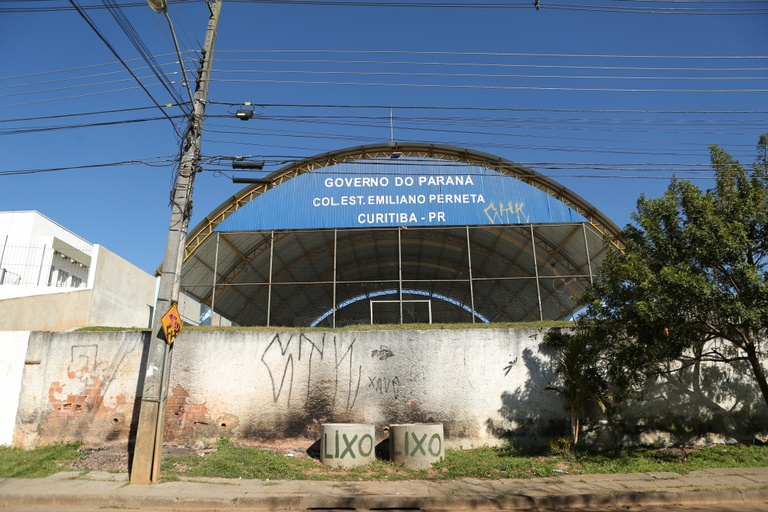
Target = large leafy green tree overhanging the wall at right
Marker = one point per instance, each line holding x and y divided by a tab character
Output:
692	282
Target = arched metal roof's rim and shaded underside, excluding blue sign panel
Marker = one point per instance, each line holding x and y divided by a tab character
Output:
295	277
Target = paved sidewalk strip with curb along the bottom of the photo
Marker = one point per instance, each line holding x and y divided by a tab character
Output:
71	490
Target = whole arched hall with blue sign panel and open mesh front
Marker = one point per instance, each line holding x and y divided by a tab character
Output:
401	232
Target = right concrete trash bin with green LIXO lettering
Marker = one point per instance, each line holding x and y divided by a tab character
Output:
416	445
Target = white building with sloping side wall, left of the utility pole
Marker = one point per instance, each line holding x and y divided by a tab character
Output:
51	279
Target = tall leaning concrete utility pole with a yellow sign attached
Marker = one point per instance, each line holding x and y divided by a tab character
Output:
148	449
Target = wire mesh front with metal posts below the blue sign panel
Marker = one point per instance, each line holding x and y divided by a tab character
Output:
505	273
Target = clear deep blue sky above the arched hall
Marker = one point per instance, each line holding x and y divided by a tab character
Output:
611	99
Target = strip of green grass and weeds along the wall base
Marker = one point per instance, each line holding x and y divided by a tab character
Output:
230	461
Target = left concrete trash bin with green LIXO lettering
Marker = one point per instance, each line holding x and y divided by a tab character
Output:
346	445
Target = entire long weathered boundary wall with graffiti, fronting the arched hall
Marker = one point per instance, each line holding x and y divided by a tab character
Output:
482	384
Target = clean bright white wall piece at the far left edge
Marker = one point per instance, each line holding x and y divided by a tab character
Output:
13	350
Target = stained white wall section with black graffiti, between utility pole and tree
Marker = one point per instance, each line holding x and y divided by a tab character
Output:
289	383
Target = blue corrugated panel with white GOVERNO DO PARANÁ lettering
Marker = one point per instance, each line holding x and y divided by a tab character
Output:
399	192
